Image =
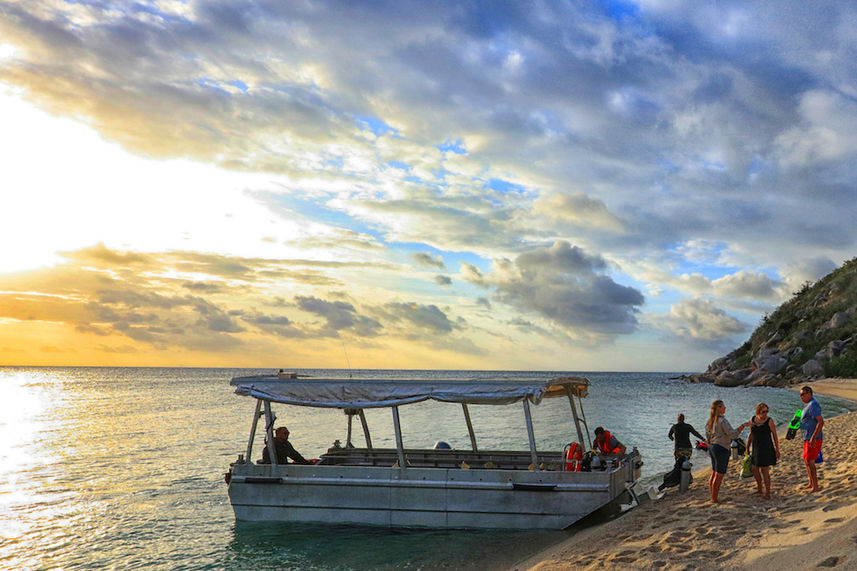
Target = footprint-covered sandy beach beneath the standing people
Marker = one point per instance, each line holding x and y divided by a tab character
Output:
792	530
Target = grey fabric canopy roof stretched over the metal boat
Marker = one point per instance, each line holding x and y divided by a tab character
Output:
376	393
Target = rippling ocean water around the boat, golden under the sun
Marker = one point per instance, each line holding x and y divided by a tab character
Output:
122	468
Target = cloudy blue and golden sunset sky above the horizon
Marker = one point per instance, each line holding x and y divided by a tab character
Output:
576	186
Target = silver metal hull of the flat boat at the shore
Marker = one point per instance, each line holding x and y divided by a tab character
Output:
421	497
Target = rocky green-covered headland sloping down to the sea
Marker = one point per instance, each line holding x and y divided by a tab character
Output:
810	336
